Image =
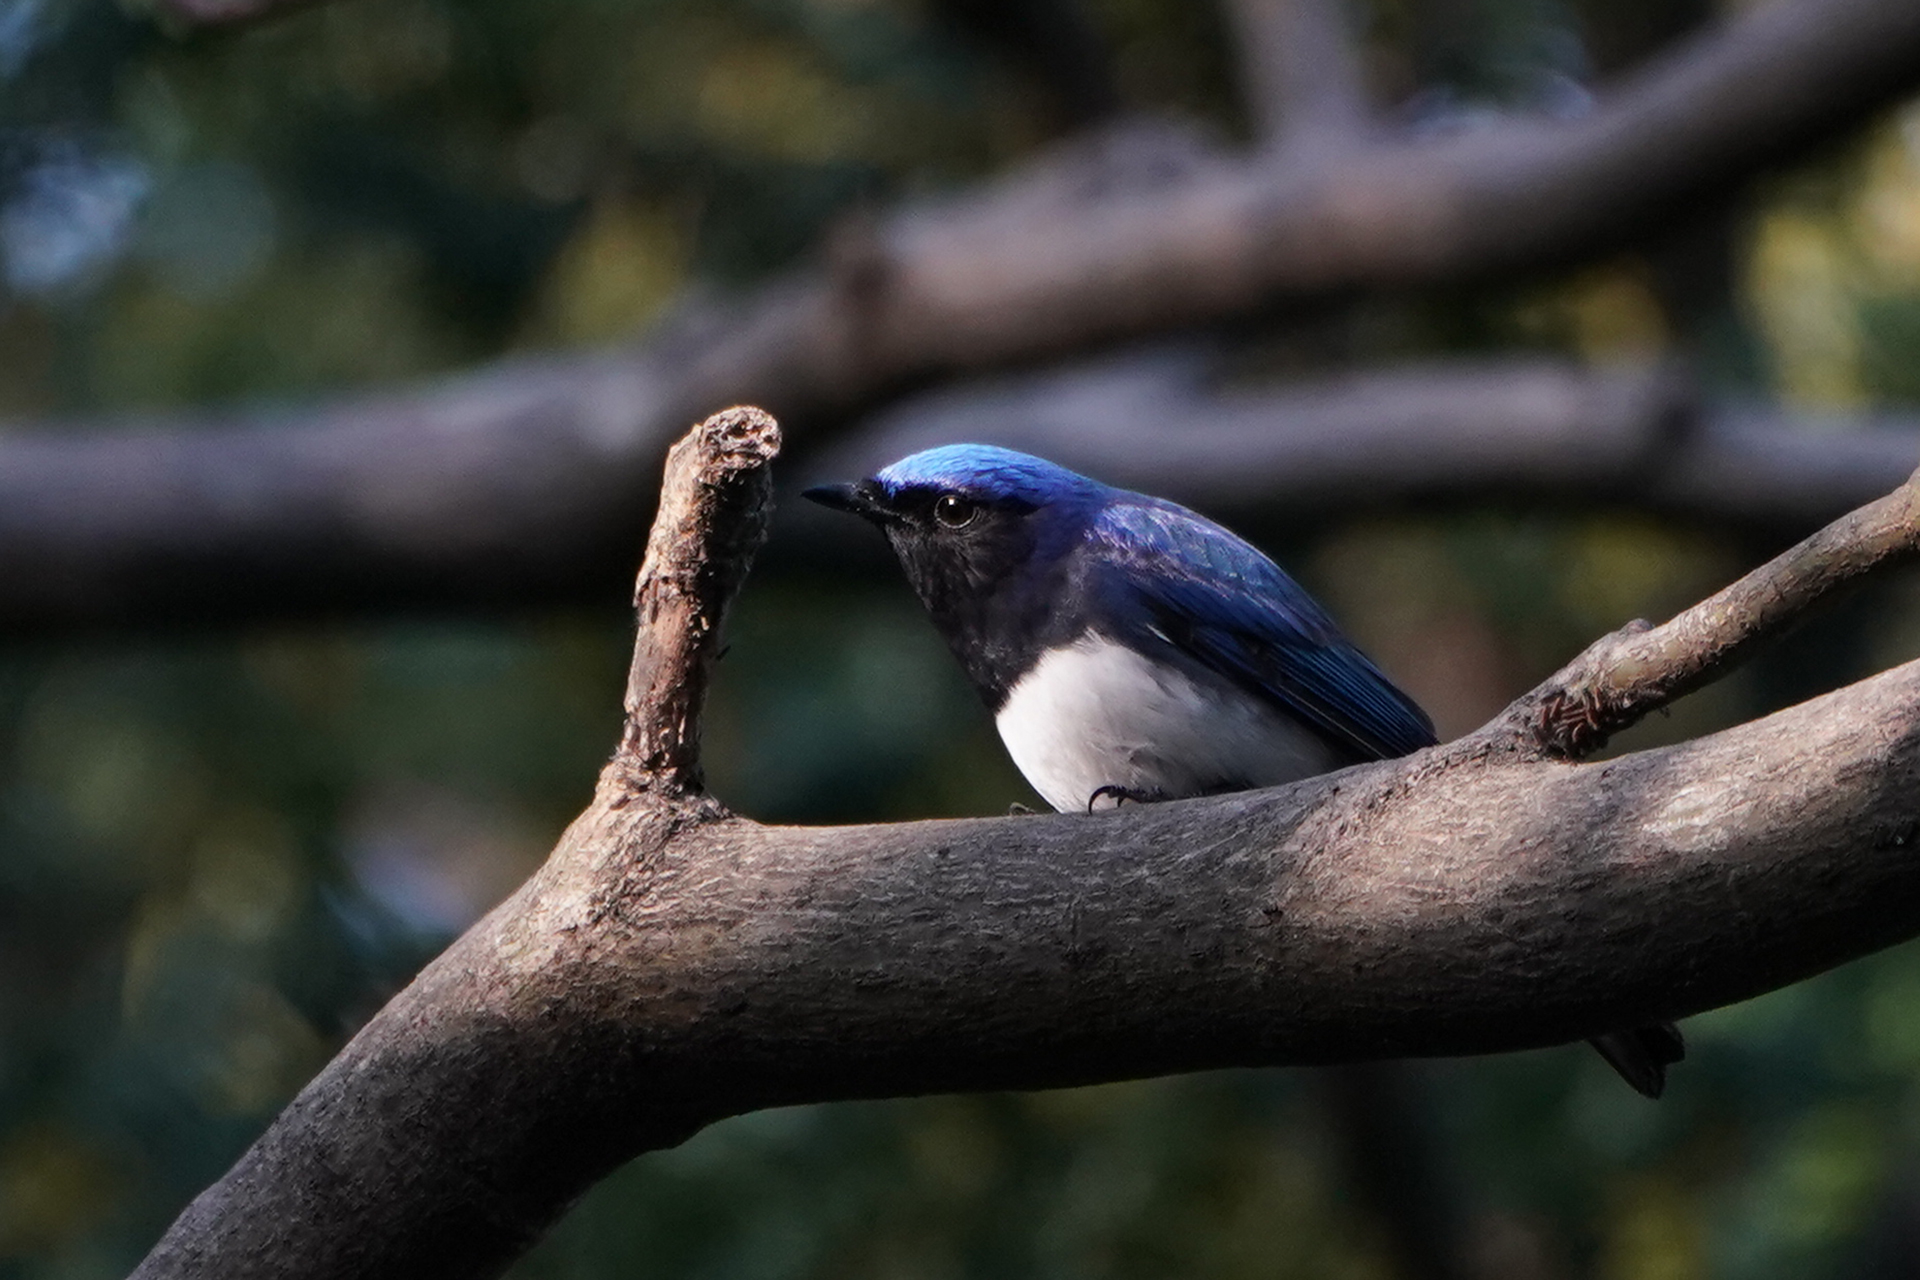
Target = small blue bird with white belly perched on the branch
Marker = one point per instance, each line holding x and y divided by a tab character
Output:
1132	650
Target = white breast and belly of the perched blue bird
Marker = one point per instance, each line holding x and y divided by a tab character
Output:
1101	715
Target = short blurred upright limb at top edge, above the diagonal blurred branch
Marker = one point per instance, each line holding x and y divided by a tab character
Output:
1299	70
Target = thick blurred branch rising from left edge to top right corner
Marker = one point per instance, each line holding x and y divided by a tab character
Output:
523	483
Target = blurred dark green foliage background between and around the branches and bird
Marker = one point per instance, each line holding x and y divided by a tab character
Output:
222	849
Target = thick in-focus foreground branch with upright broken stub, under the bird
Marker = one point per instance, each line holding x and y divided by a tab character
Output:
673	964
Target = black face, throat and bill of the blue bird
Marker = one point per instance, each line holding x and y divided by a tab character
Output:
972	563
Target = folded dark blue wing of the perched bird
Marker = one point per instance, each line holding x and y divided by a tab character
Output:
1182	581
